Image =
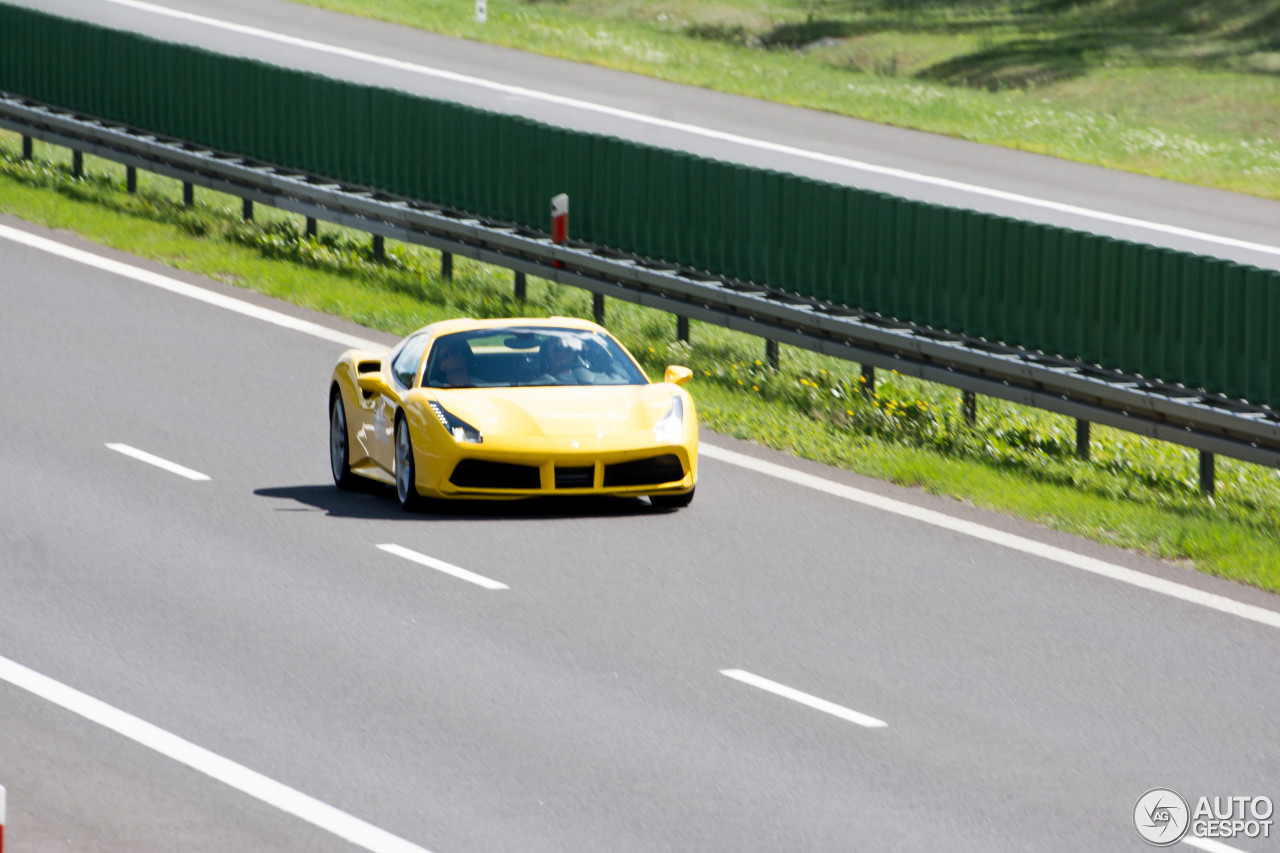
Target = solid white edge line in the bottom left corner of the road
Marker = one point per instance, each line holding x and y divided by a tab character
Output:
243	779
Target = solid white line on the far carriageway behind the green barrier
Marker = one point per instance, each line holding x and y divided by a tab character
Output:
775	148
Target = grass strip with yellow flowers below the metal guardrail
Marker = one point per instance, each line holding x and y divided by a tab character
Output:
1135	494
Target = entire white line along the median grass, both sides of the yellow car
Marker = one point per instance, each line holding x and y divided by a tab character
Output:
720	454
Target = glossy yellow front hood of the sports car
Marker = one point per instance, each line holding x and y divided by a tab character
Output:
560	412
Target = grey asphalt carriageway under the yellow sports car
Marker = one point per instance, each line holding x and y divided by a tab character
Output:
584	708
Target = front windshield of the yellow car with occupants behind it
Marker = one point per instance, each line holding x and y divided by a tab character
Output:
519	357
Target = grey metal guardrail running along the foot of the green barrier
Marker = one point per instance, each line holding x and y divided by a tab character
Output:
1169	413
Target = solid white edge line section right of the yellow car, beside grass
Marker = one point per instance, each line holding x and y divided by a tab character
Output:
998	537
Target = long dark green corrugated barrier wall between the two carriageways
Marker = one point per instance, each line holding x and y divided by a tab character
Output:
1180	318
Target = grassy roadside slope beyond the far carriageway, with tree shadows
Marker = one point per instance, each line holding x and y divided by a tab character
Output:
1186	90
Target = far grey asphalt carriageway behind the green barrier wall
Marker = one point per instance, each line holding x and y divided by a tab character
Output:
830	148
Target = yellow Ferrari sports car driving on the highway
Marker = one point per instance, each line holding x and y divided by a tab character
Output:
509	409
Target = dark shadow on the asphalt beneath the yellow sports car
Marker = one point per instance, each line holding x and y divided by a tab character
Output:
377	501
